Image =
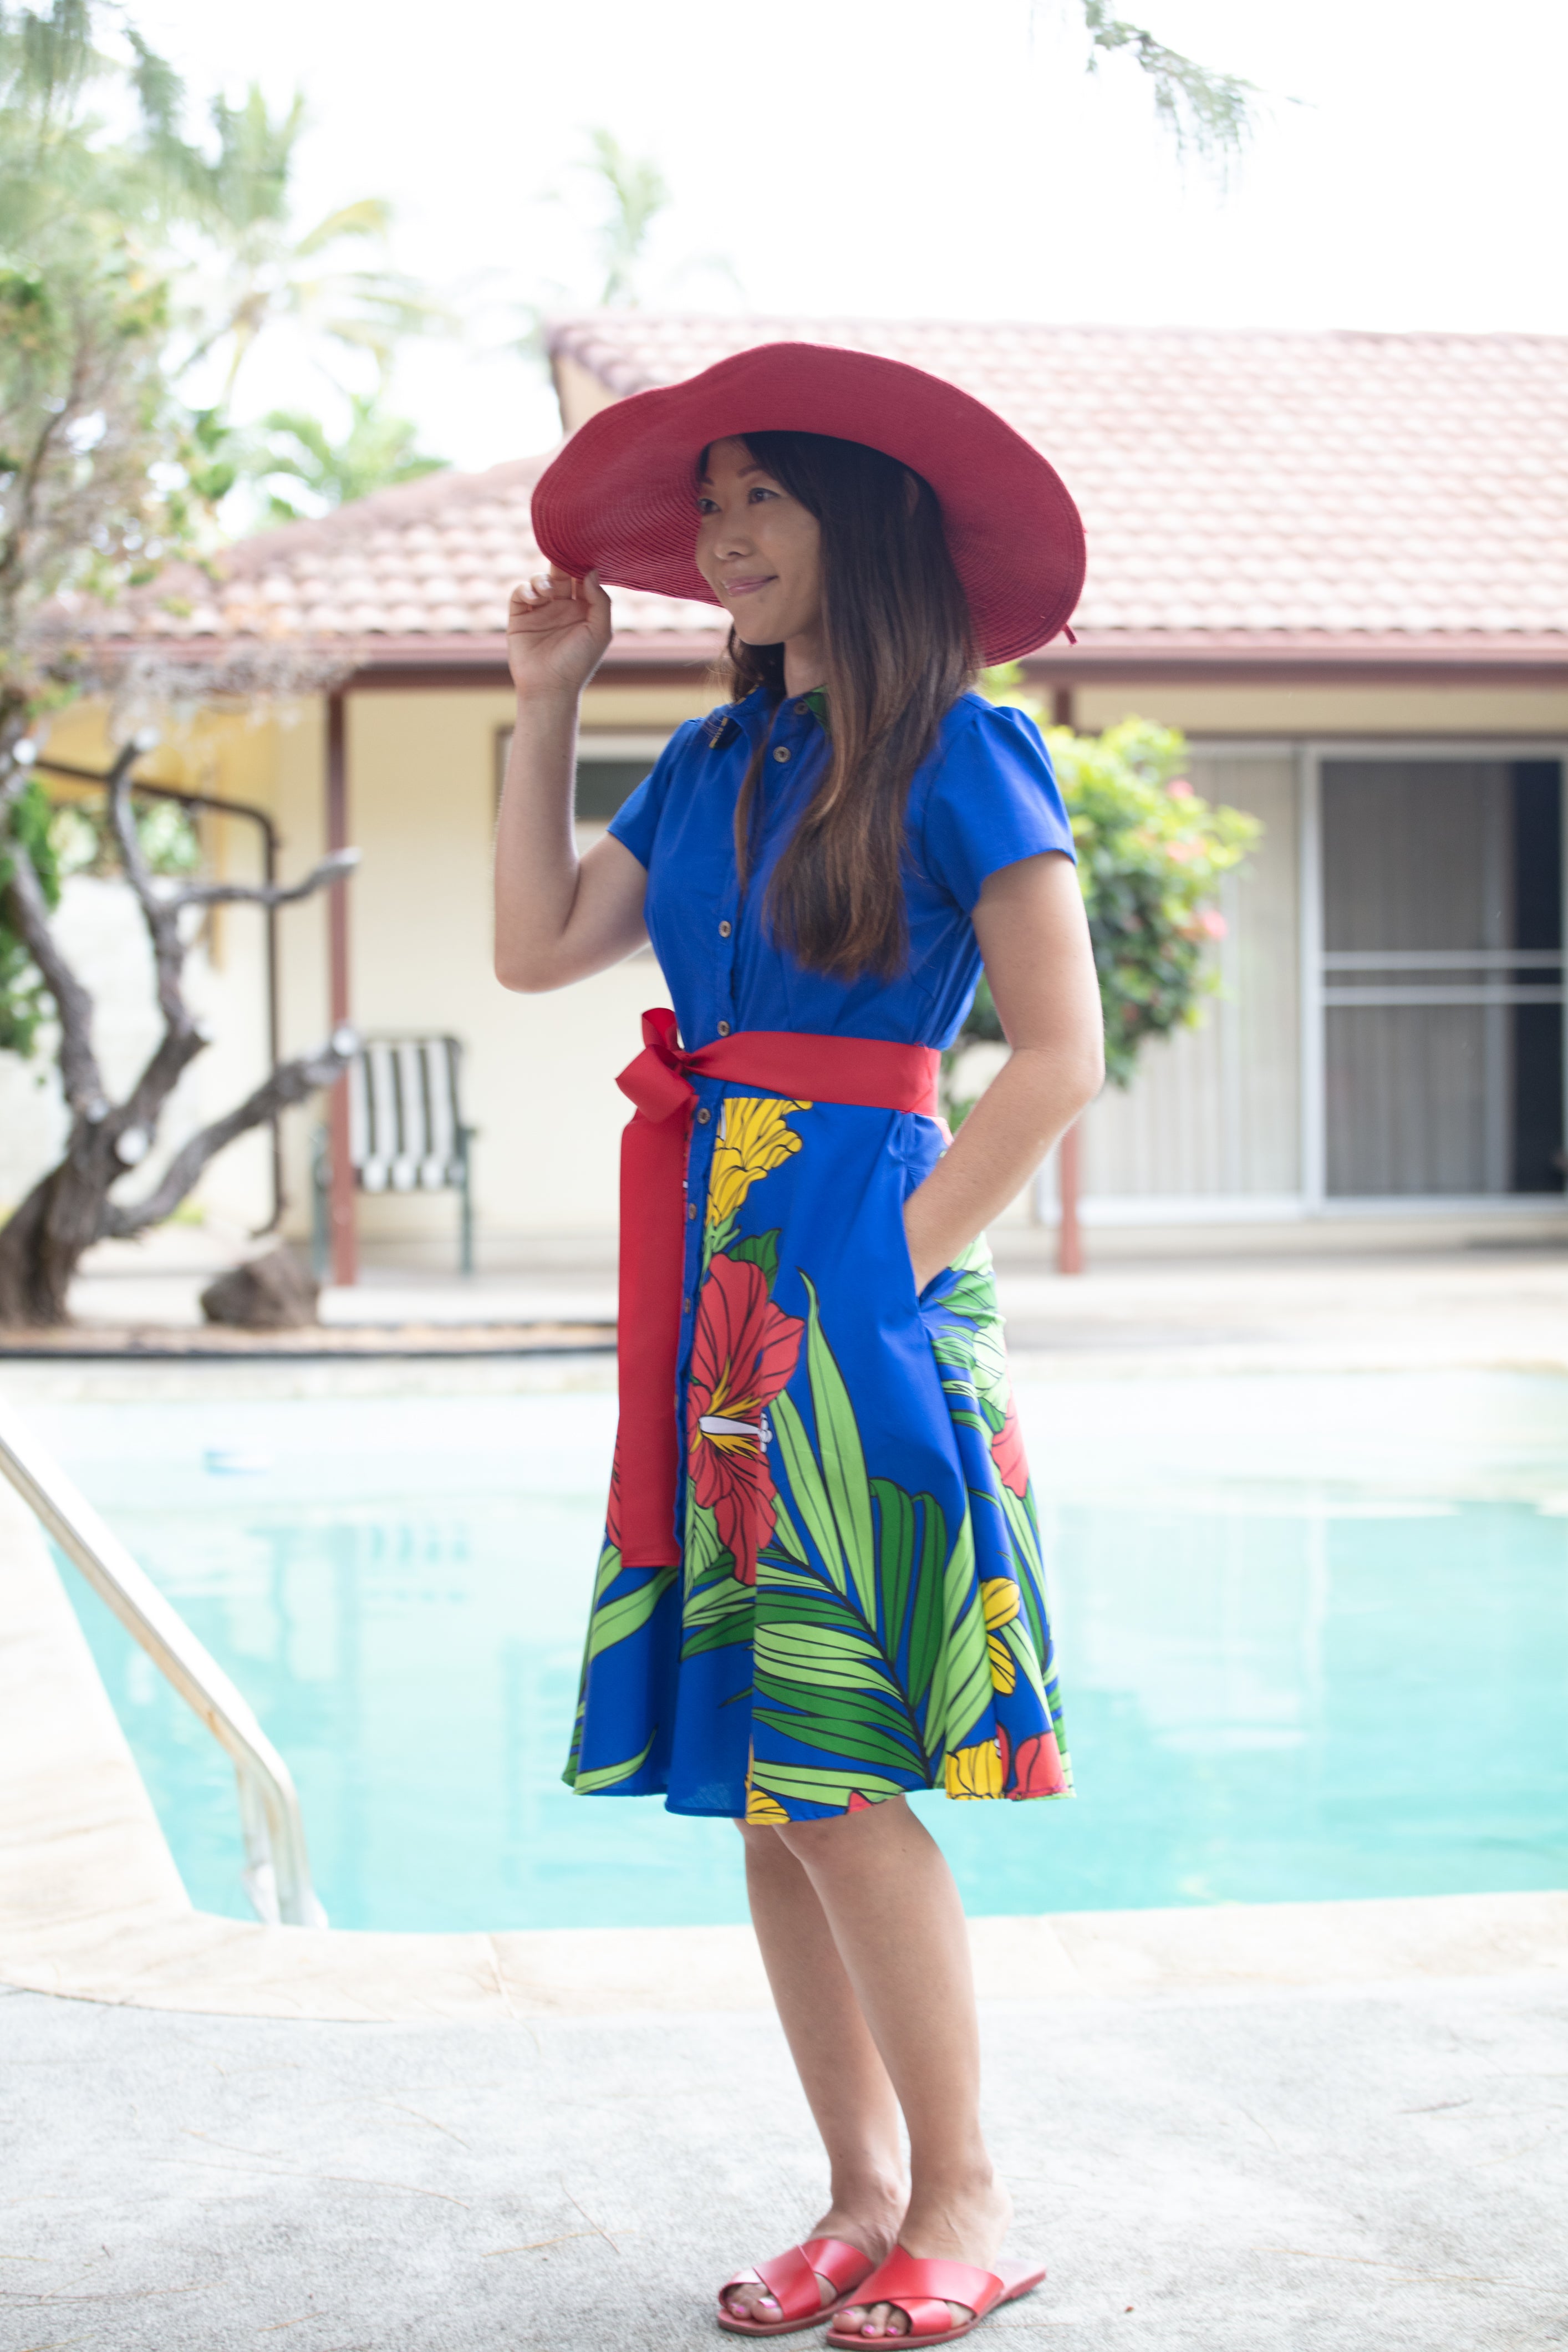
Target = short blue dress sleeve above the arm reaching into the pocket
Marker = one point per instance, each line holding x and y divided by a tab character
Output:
993	801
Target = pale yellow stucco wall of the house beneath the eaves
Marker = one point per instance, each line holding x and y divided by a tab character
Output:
422	782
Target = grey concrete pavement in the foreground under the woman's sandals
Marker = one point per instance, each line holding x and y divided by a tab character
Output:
1339	2172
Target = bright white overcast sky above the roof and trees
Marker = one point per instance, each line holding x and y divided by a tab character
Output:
918	159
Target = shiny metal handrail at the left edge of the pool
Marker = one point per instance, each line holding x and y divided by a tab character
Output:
276	1866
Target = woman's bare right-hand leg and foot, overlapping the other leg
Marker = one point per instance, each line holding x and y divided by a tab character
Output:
899	1930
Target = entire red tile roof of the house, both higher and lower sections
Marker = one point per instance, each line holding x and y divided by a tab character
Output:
1299	495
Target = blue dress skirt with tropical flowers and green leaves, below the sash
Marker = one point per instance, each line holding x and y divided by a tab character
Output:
859	1608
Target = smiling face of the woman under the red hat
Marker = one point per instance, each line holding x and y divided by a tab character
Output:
758	549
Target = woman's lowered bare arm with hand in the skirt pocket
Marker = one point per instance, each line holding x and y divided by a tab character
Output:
1043	975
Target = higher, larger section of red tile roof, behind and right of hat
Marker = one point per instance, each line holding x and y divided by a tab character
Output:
1245	483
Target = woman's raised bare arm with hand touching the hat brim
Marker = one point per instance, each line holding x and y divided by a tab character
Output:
558	916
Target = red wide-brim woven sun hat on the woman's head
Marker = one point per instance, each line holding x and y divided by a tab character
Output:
622	495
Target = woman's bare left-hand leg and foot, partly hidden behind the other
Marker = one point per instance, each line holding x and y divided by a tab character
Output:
836	2059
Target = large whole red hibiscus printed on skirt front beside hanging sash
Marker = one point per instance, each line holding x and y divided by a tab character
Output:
742	1356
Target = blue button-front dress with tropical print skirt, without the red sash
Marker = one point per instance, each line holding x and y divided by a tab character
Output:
859	1605
